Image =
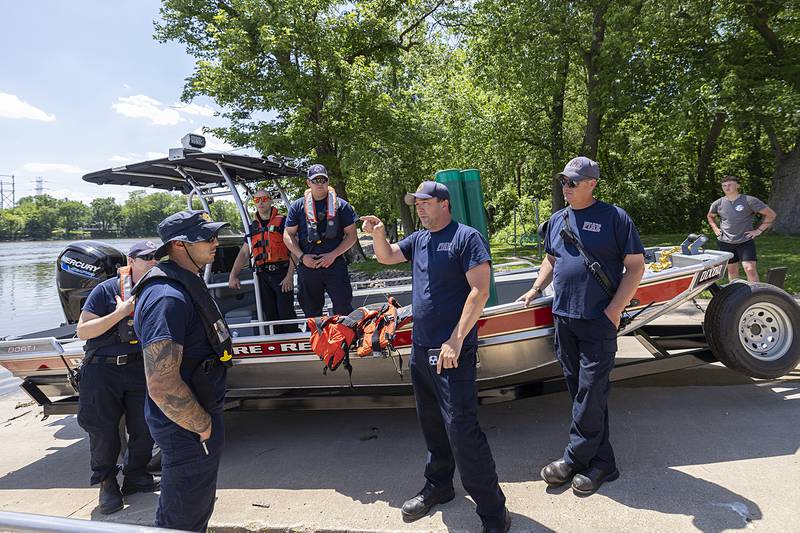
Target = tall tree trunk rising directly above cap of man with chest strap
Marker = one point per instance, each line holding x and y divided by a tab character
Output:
591	59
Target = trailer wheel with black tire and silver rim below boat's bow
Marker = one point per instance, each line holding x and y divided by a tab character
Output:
755	328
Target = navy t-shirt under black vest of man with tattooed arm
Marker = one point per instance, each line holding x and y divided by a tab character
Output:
164	311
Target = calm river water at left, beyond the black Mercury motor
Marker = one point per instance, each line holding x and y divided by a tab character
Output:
28	295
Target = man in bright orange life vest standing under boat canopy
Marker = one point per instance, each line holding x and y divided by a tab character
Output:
271	263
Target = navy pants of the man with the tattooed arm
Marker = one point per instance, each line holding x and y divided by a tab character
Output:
188	476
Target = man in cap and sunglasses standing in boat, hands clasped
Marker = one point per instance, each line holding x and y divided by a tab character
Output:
320	228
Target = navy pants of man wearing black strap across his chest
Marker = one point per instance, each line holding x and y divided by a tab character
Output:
586	351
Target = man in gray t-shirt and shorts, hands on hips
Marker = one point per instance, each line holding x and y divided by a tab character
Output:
735	232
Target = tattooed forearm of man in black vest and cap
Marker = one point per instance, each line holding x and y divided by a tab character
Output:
162	361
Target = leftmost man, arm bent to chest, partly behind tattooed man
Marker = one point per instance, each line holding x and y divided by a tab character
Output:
113	383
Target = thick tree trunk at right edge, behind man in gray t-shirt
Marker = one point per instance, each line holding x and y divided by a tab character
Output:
783	197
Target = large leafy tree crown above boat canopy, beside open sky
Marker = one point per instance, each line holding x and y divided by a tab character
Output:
297	61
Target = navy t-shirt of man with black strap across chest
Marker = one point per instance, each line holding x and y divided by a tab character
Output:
608	234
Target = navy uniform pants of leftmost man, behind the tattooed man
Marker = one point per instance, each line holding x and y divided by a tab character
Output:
108	392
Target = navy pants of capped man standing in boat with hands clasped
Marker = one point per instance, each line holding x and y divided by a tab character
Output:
315	281
